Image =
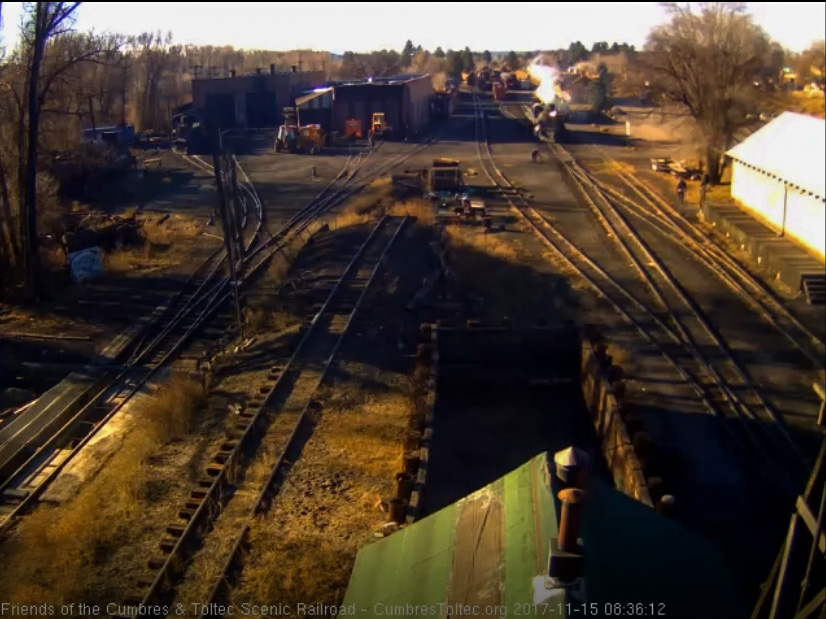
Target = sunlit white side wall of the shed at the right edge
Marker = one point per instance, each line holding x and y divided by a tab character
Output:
765	196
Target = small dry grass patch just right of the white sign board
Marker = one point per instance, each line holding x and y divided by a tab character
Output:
167	240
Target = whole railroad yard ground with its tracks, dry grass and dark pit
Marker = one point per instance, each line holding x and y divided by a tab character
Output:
215	422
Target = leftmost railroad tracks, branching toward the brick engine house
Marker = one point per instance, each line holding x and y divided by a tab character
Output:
199	300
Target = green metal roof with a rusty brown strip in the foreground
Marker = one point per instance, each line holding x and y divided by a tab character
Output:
487	555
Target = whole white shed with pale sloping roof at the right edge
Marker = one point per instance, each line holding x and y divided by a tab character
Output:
779	175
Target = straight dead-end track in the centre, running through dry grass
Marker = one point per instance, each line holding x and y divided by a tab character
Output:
232	493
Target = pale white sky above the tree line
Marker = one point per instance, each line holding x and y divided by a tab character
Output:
366	26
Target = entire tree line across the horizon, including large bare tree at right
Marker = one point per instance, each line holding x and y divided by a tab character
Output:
57	80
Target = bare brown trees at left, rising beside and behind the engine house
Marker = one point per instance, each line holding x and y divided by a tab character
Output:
56	81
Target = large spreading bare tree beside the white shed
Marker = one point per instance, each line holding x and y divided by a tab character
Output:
707	62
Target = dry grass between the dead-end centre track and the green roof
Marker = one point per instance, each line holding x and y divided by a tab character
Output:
306	548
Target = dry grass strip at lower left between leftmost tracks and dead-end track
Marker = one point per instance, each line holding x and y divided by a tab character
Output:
55	546
